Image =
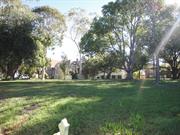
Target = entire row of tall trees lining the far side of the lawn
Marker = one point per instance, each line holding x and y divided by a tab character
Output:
125	37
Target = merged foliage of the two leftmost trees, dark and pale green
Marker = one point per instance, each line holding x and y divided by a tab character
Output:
25	36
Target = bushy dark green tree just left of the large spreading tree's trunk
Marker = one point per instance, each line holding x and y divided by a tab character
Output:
99	44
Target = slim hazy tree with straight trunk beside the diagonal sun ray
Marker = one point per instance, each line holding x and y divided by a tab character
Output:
160	19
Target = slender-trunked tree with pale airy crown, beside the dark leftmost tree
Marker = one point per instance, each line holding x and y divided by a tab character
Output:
49	31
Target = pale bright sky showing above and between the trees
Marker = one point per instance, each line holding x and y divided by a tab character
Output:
68	47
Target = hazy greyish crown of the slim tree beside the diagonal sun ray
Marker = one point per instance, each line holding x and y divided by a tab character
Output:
160	20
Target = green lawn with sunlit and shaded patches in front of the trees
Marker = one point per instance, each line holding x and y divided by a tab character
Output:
91	107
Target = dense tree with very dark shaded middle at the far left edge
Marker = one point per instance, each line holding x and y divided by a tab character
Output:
16	41
